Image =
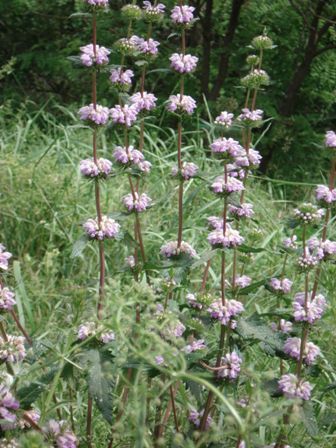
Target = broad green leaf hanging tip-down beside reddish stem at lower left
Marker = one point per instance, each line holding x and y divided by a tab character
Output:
101	382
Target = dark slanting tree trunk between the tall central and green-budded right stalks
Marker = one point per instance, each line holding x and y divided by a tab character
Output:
223	65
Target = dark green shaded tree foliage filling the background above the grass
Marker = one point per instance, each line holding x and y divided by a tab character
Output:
38	36
